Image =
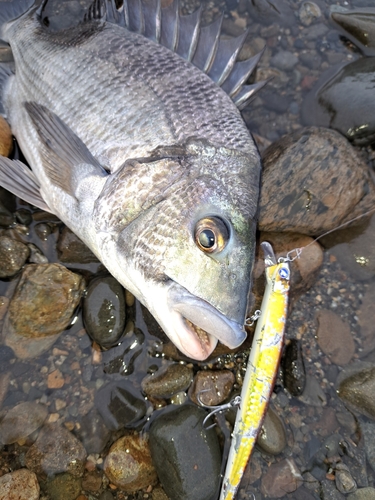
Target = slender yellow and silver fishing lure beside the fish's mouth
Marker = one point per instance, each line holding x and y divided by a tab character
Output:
261	370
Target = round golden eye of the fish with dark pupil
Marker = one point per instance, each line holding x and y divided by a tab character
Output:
211	234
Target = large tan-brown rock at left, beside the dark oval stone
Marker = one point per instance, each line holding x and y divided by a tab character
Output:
41	308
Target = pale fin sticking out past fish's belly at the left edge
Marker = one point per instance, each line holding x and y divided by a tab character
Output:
19	180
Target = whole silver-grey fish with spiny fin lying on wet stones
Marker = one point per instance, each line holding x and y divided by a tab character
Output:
130	123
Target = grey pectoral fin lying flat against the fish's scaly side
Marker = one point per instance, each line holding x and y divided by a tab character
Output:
66	160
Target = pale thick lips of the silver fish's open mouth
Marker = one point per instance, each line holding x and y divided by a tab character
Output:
202	314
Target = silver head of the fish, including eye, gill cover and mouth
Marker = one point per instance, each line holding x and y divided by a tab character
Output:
193	250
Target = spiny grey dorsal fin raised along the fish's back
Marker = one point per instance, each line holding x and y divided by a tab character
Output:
184	35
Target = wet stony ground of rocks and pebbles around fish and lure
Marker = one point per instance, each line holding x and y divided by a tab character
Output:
80	422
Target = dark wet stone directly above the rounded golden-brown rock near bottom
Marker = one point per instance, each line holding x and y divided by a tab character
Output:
120	405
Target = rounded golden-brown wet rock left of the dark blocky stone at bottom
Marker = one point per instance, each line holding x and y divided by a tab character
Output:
128	464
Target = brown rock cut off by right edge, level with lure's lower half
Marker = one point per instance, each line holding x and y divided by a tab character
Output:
358	390
